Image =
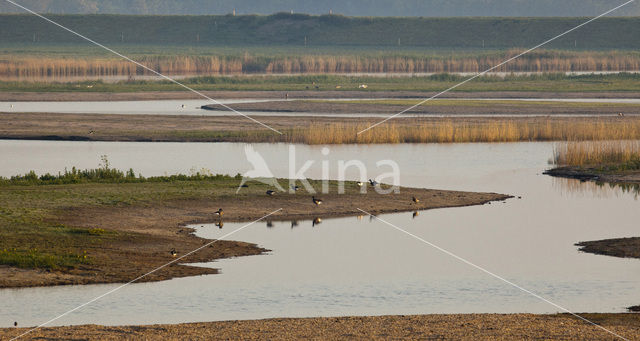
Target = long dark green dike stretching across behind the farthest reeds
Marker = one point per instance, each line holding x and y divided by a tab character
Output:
326	30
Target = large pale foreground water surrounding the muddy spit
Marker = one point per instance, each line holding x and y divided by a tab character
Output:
351	266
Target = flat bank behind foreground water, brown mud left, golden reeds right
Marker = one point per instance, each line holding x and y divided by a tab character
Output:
312	130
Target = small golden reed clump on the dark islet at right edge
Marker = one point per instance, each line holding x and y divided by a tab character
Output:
623	154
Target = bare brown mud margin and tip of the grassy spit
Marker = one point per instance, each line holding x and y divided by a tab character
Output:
157	229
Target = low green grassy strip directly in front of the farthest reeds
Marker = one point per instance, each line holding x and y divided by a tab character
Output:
544	82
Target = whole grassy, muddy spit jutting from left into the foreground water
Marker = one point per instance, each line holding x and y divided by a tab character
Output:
113	232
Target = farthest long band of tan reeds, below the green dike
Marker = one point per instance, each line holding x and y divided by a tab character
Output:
543	61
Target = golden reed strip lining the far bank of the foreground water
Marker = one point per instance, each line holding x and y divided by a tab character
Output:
459	131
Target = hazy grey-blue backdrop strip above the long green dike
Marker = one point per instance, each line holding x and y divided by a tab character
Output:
424	8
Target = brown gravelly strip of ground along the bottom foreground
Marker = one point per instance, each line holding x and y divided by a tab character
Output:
410	327
